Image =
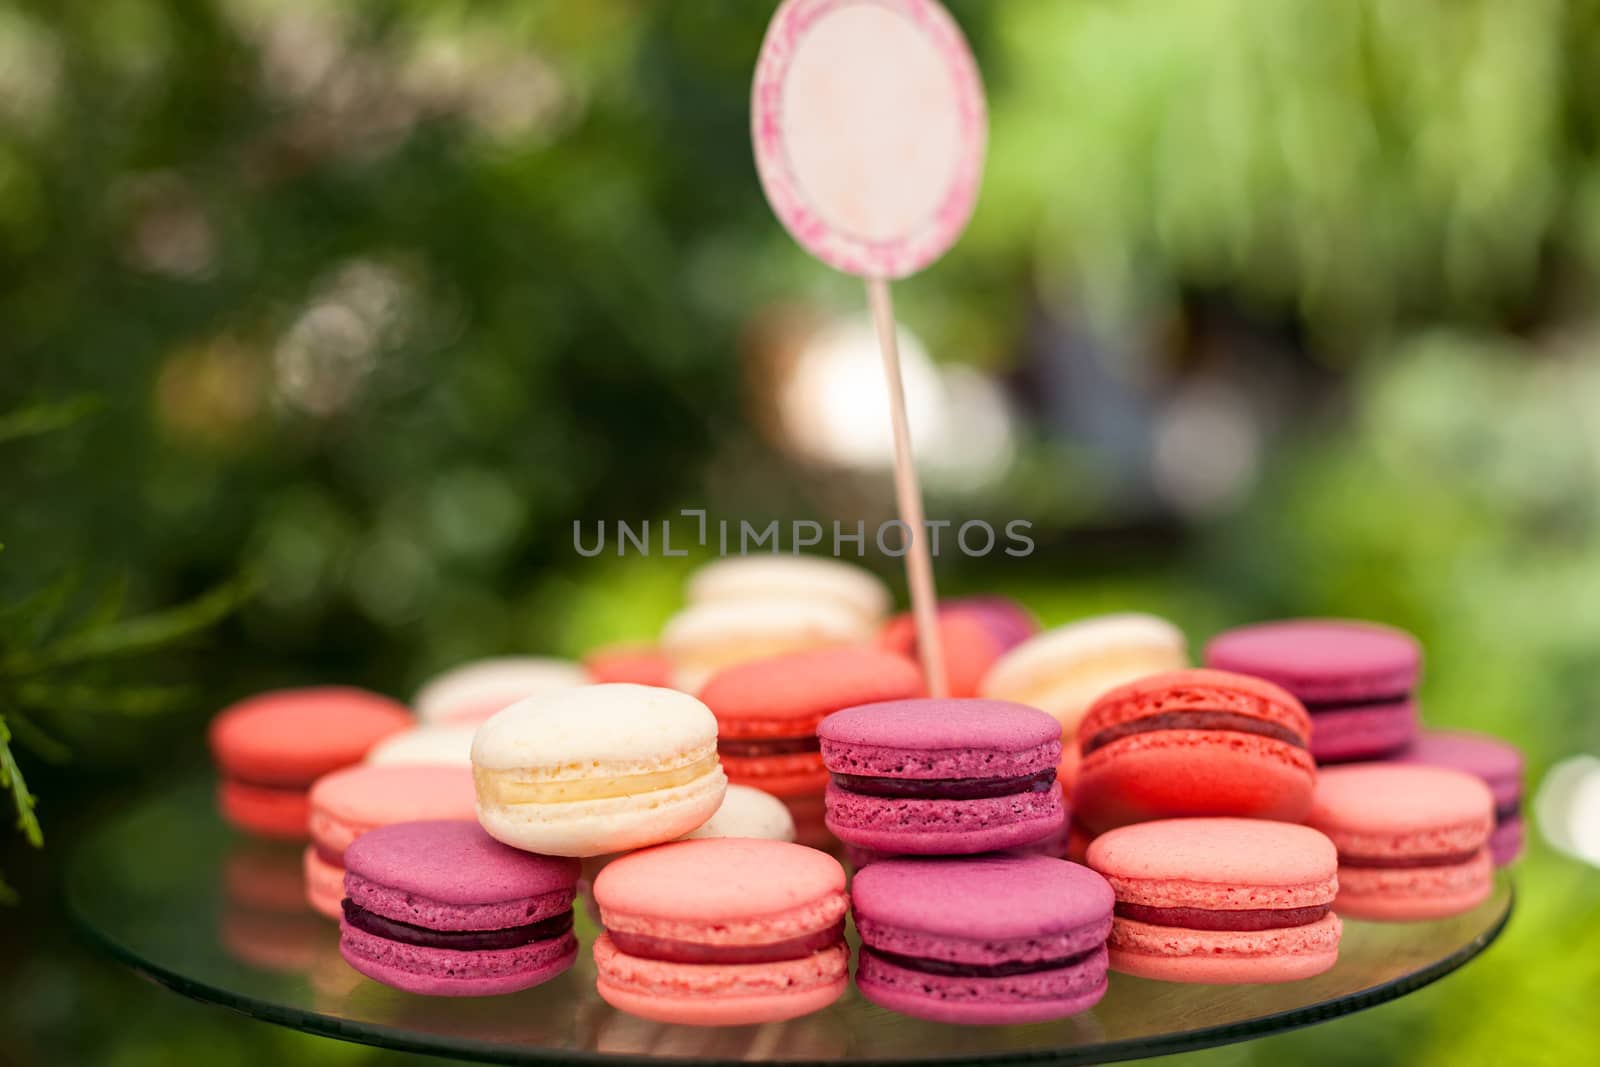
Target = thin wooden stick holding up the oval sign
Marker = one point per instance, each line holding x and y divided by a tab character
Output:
919	564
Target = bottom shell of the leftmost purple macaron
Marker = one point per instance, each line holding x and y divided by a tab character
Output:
450	973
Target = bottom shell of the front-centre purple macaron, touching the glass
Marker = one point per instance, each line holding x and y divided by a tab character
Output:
1010	1001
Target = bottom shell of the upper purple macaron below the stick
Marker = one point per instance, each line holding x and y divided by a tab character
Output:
934	828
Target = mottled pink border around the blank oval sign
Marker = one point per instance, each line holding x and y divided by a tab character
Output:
854	255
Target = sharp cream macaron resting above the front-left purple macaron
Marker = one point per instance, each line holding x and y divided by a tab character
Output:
596	770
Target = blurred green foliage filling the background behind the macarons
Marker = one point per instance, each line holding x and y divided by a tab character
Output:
380	295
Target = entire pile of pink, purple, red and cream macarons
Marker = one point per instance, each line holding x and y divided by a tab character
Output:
452	844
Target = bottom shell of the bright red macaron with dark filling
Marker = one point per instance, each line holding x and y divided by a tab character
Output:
1172	773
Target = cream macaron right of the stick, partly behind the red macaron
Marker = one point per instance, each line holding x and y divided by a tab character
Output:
1065	669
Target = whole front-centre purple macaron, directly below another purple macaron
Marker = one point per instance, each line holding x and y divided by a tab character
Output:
986	940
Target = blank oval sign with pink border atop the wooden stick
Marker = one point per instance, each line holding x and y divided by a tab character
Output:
870	132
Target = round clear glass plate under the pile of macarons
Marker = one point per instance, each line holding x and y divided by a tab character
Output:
220	917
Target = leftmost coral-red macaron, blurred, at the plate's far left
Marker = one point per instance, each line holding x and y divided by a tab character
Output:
271	748
